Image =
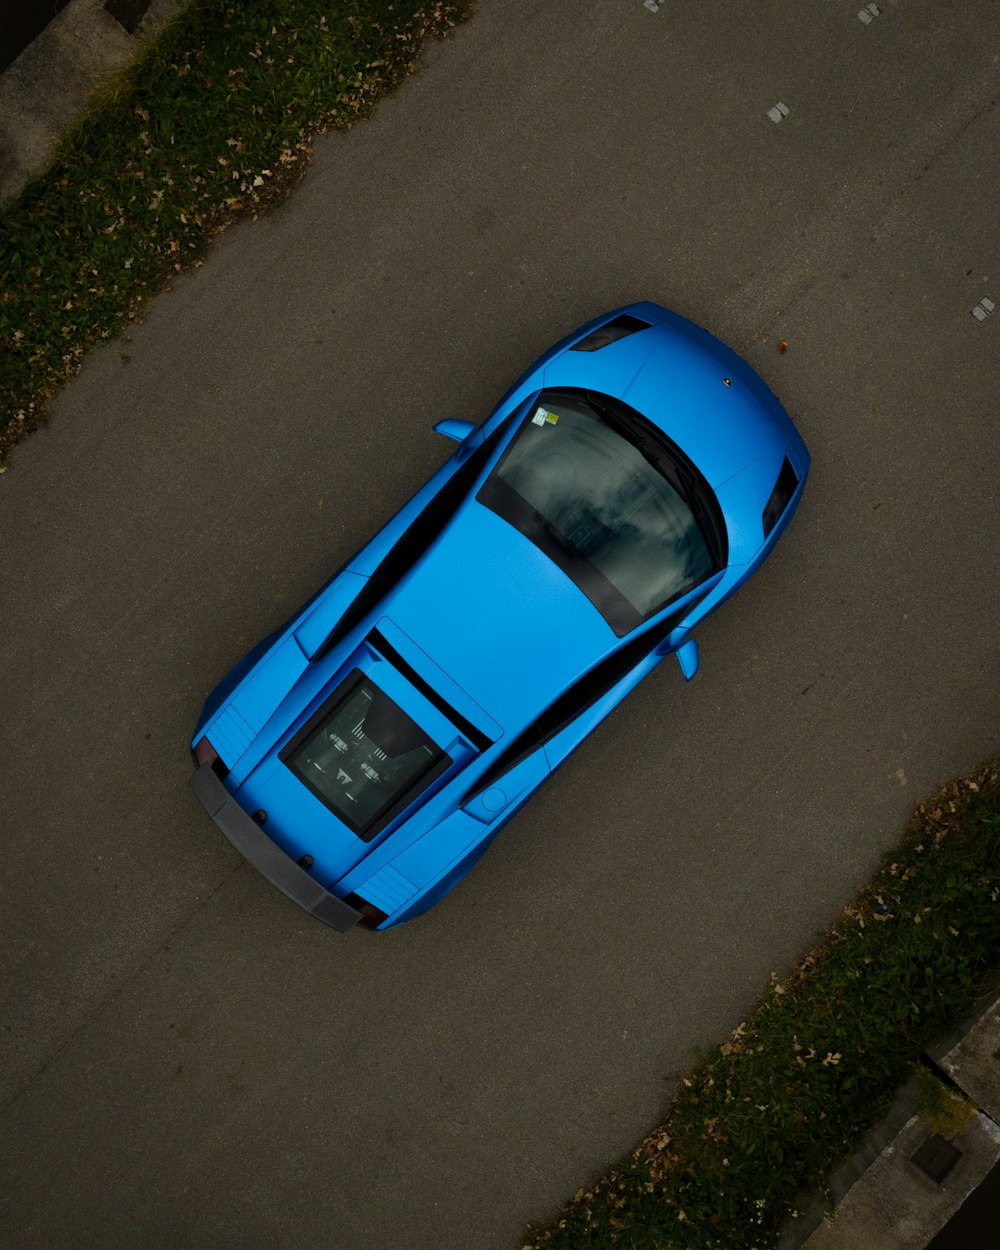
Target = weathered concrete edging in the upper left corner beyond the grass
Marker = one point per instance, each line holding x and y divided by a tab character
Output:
52	84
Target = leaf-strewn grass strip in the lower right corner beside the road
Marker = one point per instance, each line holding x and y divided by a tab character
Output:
801	1083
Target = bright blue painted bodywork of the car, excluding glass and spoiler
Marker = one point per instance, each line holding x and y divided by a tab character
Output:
488	629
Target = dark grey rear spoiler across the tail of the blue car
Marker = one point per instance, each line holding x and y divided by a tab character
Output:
267	857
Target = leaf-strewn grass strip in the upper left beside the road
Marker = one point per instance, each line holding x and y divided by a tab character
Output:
213	123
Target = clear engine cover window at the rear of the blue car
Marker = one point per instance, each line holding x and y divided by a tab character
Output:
363	757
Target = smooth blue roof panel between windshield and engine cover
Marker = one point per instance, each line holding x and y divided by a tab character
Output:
498	617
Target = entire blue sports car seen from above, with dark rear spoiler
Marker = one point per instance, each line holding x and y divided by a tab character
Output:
366	756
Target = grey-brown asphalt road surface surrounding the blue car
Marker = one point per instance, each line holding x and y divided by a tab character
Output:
187	1061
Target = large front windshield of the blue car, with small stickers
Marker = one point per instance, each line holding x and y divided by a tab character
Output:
588	484
